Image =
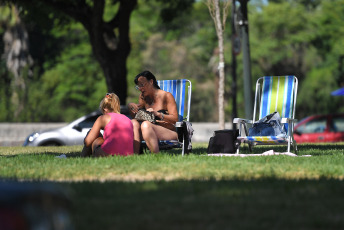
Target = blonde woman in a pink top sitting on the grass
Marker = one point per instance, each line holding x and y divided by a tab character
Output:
118	137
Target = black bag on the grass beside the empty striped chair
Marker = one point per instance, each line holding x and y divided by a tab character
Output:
223	141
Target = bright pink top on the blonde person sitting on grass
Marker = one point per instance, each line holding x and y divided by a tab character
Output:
118	136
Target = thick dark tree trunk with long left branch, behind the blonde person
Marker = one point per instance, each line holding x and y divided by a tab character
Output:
109	39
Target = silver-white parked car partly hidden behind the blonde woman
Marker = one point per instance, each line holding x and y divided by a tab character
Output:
71	134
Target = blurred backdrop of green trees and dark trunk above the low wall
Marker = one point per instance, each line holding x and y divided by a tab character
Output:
52	71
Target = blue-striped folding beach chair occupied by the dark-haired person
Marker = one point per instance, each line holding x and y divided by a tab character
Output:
178	89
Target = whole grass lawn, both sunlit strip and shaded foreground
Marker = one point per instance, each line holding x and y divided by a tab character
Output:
167	191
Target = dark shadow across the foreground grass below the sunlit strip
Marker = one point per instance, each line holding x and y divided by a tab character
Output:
225	204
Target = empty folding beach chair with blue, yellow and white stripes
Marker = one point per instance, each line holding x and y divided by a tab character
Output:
273	93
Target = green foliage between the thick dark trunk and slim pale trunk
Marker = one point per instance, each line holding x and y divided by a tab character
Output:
181	52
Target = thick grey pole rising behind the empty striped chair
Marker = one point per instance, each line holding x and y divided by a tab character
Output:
243	23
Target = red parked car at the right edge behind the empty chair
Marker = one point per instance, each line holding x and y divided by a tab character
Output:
320	128
